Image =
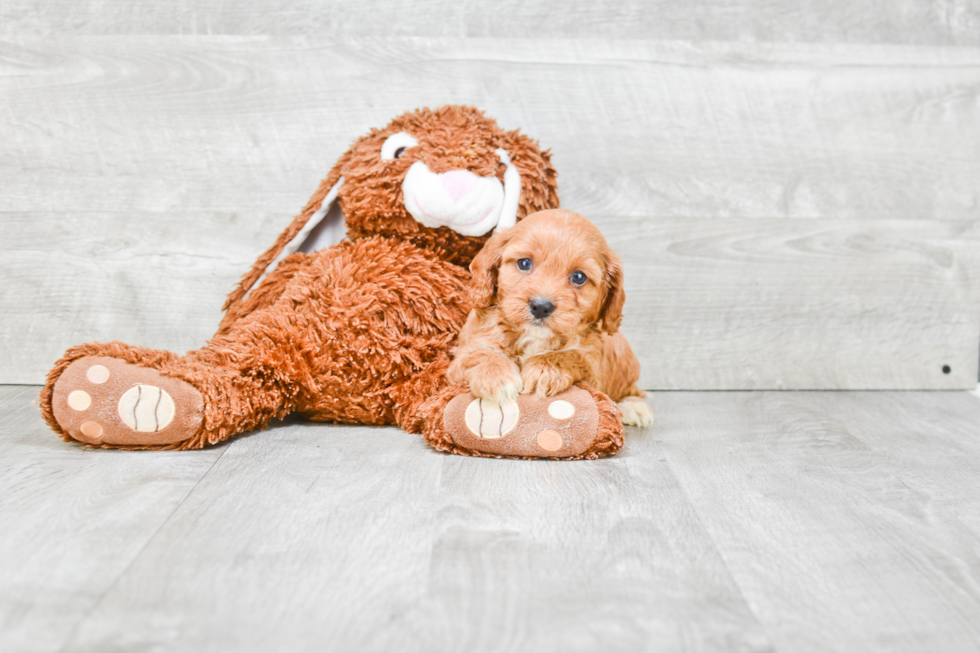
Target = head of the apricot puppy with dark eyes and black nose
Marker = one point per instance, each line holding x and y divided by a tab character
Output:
553	270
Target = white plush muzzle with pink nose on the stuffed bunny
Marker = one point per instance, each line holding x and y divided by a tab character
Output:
466	203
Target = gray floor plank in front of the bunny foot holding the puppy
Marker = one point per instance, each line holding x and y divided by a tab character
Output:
603	556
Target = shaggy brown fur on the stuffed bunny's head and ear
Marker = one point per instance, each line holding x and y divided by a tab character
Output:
371	198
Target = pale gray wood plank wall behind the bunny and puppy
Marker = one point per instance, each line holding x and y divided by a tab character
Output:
795	186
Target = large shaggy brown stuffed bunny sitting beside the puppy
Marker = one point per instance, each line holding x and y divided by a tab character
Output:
359	331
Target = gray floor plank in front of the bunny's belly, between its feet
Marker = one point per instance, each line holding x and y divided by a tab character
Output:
315	536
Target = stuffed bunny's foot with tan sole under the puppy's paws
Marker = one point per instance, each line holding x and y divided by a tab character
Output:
571	425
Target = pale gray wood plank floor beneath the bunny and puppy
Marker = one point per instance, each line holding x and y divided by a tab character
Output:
795	521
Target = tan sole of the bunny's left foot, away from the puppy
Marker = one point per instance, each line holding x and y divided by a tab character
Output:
101	401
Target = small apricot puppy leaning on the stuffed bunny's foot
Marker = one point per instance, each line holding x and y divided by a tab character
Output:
548	299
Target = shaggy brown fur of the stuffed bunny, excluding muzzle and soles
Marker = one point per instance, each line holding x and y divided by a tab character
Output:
359	332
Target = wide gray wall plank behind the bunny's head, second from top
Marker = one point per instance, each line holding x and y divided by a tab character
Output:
251	124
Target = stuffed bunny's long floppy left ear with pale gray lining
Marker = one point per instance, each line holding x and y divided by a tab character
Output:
320	224
